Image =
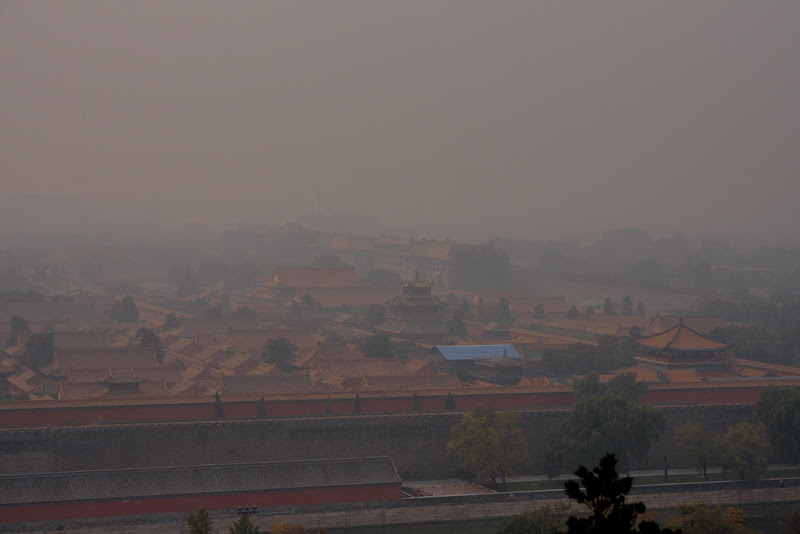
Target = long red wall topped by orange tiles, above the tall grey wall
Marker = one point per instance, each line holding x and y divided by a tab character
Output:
148	410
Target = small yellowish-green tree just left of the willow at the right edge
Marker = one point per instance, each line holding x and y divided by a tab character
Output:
746	450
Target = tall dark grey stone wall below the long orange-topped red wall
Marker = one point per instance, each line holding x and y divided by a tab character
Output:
415	441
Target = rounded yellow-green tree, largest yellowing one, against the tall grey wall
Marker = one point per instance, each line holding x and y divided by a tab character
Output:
488	443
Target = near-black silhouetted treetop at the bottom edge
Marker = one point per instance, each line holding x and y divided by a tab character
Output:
604	494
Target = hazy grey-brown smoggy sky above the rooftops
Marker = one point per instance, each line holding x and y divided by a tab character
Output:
520	118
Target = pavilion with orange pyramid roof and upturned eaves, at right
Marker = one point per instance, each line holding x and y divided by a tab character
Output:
681	347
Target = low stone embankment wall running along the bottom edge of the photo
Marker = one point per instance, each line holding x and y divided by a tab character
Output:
438	509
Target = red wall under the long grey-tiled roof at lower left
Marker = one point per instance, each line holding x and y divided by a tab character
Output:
190	503
